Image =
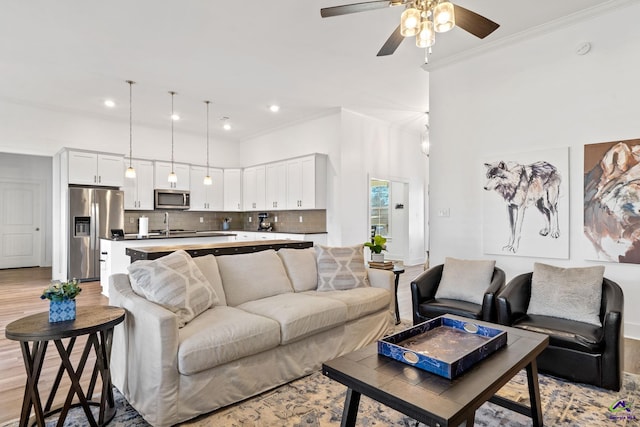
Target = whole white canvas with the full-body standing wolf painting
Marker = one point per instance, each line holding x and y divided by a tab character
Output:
526	204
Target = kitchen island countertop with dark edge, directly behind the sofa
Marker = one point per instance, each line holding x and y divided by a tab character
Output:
223	248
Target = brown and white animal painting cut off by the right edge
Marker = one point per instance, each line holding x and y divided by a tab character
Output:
612	201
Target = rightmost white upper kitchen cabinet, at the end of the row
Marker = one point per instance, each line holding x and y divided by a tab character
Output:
307	182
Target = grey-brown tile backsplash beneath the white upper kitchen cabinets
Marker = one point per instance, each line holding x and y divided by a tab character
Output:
313	221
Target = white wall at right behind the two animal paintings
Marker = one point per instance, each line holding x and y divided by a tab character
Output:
533	94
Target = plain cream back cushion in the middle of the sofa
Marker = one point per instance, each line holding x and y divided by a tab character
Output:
248	277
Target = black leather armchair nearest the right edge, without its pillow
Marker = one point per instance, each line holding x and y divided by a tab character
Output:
577	351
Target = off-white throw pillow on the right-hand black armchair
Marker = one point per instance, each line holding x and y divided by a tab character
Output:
567	293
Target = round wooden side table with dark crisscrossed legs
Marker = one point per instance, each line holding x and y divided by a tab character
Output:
34	333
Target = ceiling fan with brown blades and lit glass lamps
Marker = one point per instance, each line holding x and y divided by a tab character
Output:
421	18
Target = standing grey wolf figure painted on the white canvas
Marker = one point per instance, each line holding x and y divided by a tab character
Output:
521	186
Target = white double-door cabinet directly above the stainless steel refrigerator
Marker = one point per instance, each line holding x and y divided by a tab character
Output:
86	168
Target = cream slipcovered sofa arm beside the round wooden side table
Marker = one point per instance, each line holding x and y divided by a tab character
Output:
144	356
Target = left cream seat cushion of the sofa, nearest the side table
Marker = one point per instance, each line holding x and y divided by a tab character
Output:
223	334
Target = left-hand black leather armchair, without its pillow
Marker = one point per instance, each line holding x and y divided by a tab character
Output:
426	306
